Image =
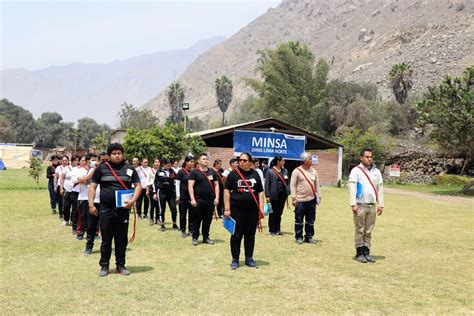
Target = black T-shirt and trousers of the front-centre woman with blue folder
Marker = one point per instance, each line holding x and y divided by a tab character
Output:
243	210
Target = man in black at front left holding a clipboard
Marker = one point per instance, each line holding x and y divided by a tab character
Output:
114	176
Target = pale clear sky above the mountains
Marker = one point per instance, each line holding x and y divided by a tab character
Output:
38	34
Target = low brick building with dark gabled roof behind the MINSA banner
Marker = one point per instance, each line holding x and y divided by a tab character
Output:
220	143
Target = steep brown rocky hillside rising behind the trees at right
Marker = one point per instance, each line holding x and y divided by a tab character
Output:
361	39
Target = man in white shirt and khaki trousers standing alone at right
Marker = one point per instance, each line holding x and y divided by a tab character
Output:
366	199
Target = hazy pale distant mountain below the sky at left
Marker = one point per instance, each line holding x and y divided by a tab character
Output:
98	90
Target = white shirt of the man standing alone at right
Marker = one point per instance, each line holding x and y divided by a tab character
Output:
368	194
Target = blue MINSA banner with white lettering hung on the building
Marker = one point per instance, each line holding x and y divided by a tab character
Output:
269	145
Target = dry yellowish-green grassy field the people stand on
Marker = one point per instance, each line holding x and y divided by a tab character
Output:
424	251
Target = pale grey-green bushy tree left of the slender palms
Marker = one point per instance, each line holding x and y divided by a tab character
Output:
131	117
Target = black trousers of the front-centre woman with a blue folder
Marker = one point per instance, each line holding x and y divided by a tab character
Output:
246	220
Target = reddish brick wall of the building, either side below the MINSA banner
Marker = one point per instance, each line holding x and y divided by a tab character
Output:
326	168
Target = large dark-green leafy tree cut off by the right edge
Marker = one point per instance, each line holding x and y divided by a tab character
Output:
449	108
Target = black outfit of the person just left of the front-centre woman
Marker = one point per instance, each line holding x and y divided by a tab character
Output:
205	196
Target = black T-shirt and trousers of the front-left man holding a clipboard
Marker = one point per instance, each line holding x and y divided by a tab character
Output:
113	220
